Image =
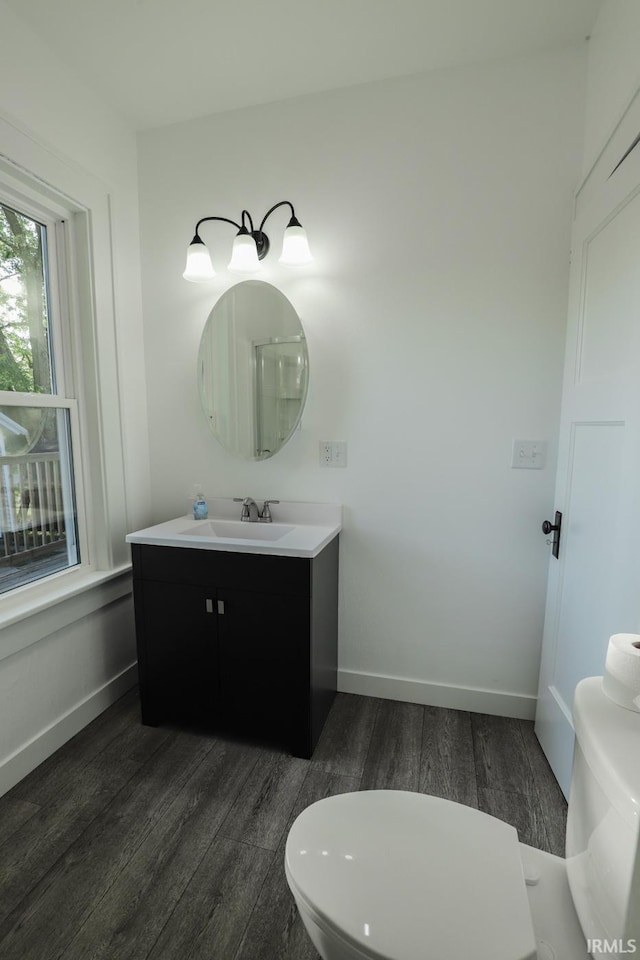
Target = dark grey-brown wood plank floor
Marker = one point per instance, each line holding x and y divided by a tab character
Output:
134	842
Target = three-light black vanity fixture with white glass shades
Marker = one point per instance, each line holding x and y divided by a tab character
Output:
249	247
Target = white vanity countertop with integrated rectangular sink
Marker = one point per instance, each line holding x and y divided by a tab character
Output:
302	529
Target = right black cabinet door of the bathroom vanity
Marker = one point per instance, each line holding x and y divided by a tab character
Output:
264	664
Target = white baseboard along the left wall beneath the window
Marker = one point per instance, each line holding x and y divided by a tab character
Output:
32	753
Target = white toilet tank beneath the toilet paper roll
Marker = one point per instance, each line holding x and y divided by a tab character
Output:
603	823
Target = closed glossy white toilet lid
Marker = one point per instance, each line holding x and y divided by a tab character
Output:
405	876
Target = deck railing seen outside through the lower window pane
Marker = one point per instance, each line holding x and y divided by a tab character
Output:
31	505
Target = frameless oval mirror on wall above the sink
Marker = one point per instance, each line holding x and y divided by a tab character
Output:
253	370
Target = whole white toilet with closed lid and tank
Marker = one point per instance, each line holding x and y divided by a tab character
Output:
391	875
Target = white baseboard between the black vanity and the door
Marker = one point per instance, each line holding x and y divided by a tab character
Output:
438	694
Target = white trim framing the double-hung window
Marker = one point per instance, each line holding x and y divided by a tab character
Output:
28	169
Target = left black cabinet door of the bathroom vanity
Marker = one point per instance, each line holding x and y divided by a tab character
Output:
177	651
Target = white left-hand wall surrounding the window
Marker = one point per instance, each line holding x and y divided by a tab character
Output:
60	666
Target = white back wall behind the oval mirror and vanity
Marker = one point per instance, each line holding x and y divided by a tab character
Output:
439	209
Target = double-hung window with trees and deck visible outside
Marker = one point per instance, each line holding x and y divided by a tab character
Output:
39	468
